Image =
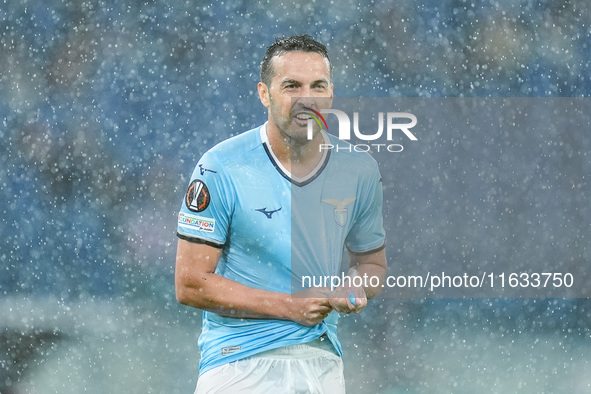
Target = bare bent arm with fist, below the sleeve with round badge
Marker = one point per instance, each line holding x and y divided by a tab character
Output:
197	285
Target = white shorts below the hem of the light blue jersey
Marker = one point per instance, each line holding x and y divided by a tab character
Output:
311	368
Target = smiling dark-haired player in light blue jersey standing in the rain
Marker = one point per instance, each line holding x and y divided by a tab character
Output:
267	207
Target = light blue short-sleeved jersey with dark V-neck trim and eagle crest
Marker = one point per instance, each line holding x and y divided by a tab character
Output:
274	228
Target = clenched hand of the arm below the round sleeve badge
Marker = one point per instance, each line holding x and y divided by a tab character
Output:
310	307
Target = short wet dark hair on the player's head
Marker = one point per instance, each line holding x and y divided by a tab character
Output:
300	43
